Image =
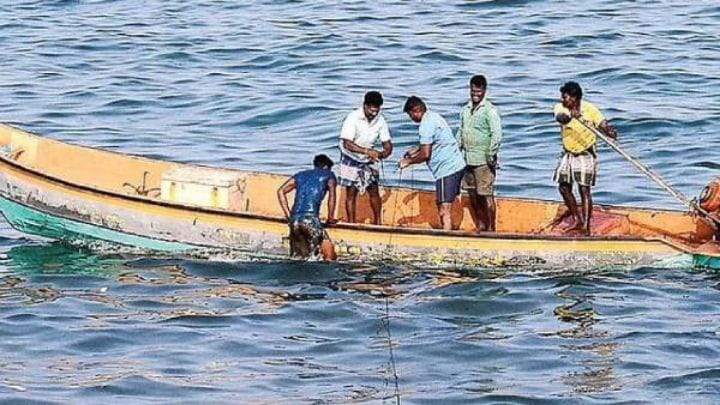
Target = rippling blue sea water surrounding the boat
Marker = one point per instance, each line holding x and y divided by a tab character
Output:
265	85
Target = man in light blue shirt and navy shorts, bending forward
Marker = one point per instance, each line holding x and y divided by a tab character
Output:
438	147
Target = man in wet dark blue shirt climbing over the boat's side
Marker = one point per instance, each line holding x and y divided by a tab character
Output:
307	234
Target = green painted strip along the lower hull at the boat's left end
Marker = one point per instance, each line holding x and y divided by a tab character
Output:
34	222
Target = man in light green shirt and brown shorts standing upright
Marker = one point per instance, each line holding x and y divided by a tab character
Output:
479	137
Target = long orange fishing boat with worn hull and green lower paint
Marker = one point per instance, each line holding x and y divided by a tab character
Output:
76	193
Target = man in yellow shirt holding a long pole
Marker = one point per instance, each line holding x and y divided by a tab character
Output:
578	163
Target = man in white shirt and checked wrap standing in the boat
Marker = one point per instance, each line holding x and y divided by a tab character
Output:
358	158
